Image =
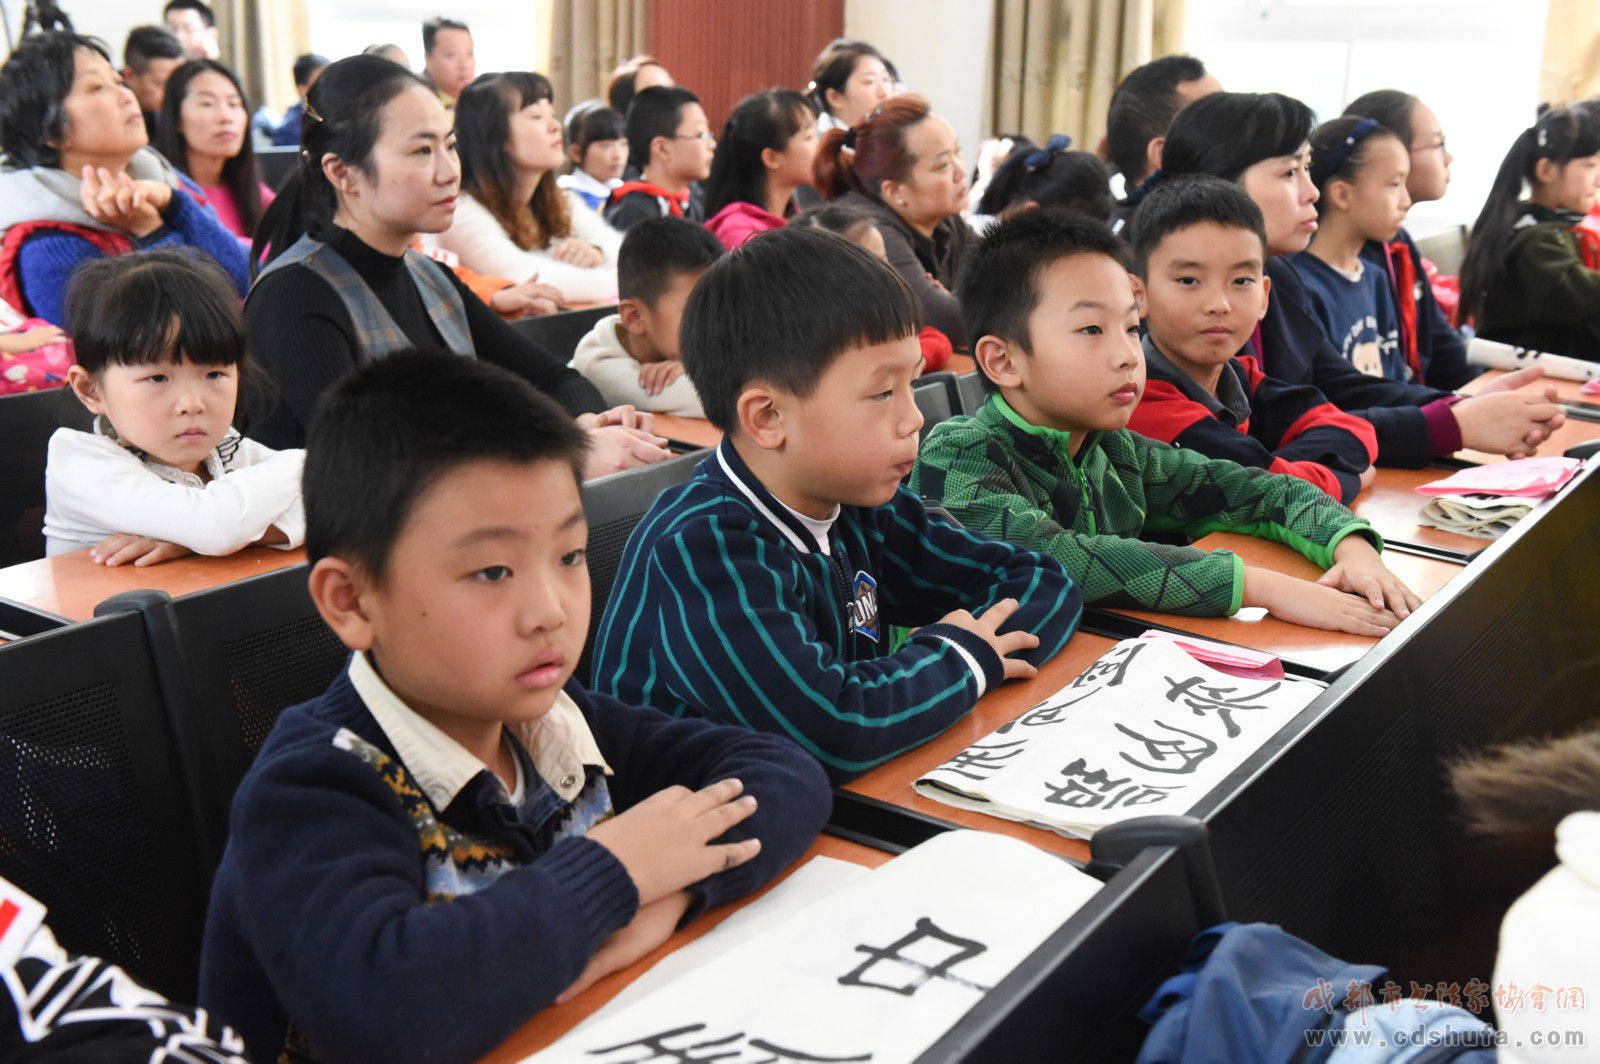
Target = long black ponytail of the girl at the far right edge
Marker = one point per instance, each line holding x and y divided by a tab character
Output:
1559	135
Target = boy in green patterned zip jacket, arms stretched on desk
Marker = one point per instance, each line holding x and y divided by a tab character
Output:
1049	462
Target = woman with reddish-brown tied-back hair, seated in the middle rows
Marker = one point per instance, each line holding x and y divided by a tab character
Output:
903	167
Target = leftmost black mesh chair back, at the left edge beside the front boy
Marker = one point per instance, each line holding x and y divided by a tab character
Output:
94	814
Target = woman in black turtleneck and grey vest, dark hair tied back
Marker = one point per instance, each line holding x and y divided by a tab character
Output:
378	167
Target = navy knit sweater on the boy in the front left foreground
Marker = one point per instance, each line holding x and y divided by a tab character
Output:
321	934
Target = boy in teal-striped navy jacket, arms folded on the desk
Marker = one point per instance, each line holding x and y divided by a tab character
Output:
764	591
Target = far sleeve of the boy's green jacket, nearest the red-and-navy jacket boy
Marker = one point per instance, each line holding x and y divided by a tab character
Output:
1196	495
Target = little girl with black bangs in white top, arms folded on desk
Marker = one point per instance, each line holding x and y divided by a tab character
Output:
164	473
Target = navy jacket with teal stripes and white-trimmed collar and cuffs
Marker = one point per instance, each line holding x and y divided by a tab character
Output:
727	607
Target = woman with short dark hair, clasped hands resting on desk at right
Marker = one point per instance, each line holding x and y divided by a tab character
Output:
1262	143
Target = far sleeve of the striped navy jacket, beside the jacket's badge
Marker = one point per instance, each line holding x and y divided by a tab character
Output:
934	567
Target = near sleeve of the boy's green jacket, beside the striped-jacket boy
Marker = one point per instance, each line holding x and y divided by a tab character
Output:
994	492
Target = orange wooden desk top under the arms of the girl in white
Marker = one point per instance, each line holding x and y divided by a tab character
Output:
71	585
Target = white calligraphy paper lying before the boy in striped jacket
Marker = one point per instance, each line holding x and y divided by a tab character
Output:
1143	730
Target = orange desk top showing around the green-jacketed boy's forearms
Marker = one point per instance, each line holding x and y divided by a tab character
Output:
1313	647
